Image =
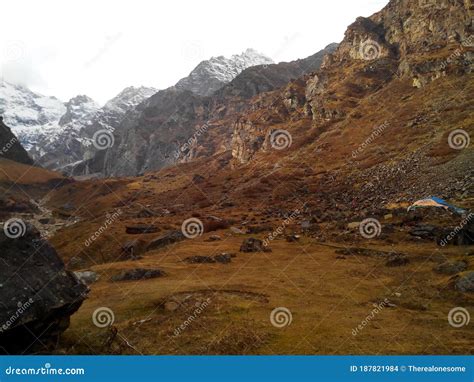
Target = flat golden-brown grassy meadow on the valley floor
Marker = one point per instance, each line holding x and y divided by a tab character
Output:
335	304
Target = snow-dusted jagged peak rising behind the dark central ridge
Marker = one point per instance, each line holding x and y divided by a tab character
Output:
210	75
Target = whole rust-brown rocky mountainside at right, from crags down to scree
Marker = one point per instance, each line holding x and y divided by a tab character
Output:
378	114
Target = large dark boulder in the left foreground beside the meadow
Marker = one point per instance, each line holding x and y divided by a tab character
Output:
37	294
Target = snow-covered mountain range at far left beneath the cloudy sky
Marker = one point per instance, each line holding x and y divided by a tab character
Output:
54	132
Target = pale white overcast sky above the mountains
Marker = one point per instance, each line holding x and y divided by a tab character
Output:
98	47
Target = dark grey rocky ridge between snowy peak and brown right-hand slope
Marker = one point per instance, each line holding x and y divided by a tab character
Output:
177	125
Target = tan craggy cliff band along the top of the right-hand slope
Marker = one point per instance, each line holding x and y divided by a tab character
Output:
418	42
